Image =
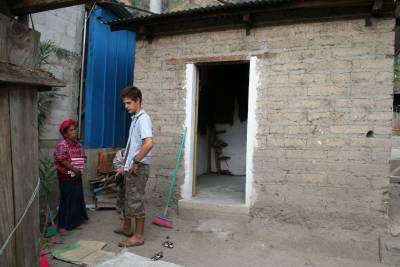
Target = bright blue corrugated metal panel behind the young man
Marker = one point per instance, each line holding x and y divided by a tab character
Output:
109	69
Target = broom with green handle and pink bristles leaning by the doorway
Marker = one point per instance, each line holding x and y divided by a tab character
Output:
163	220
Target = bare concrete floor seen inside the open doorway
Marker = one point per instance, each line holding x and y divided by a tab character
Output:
220	189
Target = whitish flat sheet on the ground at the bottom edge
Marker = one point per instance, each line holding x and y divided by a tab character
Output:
128	259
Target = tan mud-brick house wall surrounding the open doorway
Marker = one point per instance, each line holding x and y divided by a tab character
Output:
322	87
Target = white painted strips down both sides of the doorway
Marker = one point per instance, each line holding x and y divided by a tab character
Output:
190	122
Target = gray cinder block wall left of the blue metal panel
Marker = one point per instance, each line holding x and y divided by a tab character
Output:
65	28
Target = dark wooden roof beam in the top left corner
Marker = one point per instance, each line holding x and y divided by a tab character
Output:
24	7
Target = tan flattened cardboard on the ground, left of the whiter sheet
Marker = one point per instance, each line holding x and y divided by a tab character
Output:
84	253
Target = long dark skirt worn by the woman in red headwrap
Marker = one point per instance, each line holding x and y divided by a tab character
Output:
72	208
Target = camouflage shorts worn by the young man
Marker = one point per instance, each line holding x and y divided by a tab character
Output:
135	187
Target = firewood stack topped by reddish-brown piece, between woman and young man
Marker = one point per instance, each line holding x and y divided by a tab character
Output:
103	186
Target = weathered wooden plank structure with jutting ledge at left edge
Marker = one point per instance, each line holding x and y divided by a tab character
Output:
19	84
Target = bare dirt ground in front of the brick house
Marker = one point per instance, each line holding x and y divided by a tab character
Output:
219	242
